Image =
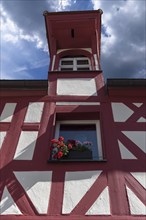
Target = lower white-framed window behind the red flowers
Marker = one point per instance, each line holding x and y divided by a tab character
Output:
82	131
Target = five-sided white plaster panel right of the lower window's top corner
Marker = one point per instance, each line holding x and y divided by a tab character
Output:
121	112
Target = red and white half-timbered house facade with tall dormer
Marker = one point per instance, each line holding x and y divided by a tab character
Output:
105	181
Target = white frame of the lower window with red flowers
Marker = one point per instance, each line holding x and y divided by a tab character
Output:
95	152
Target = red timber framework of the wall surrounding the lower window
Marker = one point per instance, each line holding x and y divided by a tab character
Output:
115	171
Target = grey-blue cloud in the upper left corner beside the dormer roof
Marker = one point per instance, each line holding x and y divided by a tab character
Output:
28	14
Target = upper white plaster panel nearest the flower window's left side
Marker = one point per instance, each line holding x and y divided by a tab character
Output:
34	112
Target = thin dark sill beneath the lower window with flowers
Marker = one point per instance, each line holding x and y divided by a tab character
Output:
75	160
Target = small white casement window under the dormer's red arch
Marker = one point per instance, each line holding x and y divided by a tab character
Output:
74	64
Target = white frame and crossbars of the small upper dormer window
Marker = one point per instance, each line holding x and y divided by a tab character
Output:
75	66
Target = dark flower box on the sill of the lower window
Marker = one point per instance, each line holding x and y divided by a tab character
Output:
80	154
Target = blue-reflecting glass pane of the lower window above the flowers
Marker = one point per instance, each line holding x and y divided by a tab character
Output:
80	132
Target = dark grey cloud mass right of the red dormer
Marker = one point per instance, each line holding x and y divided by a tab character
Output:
127	56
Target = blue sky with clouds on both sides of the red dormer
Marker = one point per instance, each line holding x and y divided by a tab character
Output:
24	50
